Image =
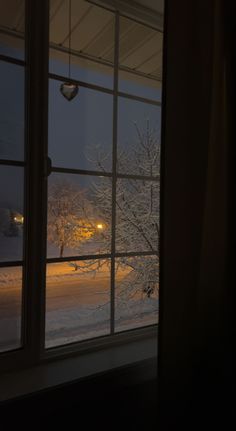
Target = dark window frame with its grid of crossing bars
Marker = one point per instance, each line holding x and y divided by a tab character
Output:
37	77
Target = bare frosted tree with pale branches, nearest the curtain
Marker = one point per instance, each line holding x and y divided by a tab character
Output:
137	209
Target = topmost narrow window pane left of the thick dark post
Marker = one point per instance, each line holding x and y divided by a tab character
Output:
12	25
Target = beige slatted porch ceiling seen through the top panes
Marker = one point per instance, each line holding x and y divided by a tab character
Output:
92	34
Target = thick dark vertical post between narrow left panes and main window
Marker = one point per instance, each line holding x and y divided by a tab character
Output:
36	179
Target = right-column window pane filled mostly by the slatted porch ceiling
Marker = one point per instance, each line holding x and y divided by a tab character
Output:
140	59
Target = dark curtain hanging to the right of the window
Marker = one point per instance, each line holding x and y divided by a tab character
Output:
197	292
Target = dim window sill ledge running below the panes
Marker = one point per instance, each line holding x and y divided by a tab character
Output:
59	372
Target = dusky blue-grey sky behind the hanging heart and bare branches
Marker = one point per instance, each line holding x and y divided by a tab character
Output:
77	129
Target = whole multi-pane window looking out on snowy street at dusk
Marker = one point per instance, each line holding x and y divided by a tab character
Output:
99	258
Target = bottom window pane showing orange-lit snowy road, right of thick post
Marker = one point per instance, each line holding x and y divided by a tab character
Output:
78	301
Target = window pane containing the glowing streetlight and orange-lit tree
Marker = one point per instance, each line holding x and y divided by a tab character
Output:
79	215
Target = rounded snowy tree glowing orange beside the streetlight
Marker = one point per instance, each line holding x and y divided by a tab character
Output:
69	223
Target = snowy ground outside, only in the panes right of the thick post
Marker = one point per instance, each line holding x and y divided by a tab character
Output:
85	312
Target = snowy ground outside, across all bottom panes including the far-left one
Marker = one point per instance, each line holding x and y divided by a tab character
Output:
77	304
